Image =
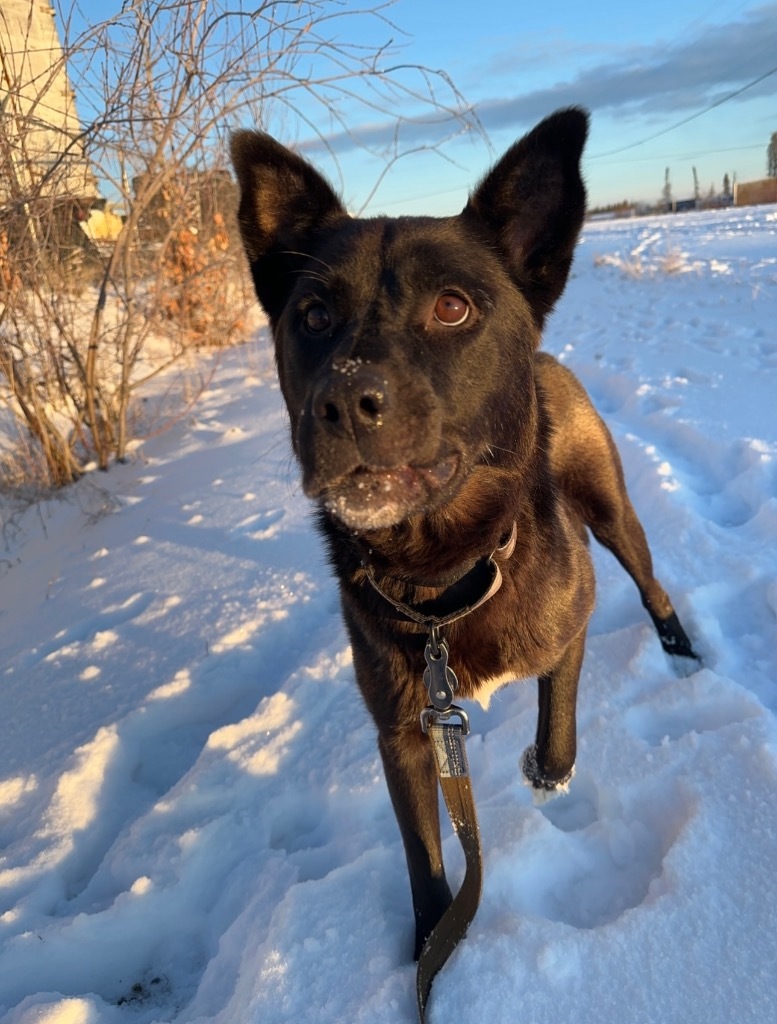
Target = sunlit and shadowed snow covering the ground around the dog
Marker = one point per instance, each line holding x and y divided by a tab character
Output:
194	825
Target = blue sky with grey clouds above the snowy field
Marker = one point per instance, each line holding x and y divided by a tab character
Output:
641	70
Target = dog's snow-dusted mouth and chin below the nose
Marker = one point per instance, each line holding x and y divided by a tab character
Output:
374	499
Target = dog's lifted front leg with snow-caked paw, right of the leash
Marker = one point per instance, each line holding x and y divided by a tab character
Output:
549	765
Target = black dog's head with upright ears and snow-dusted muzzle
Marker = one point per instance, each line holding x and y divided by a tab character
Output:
405	347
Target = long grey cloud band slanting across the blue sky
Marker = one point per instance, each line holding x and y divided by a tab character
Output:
649	80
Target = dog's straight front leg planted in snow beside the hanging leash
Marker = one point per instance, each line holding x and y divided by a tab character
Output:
412	779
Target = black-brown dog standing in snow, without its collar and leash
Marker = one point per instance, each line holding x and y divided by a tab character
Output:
423	441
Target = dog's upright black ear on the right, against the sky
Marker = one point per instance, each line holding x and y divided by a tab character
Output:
534	202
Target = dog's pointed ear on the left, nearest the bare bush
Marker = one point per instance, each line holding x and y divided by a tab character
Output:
285	204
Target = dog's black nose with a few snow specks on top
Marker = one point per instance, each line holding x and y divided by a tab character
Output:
351	400
